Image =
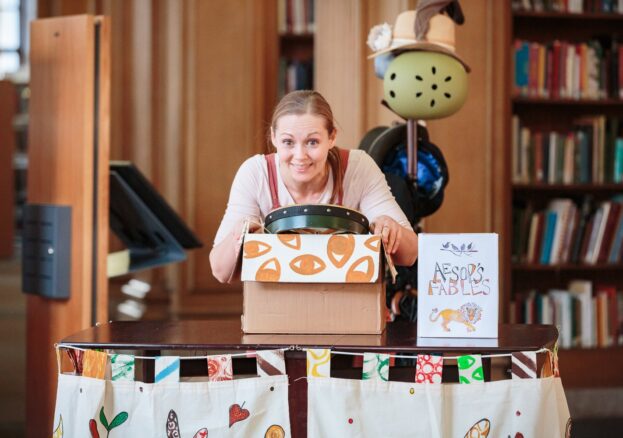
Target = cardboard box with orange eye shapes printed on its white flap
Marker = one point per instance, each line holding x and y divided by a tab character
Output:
316	284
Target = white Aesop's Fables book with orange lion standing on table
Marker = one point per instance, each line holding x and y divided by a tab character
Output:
458	285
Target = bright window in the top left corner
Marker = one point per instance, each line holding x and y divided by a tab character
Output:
10	36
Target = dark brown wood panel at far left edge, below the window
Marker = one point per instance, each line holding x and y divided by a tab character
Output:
8	109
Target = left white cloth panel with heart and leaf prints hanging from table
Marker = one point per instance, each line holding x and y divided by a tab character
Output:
255	406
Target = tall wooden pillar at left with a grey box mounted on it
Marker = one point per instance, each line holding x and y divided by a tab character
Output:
68	165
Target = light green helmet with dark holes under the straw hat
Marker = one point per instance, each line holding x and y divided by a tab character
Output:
425	85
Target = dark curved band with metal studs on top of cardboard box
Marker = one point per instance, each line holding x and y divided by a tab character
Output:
316	219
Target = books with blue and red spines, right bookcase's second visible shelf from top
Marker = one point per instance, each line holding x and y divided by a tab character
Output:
561	69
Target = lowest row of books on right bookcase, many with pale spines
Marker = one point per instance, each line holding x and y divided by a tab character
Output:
586	315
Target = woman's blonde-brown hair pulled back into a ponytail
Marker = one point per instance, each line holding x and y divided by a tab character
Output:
311	102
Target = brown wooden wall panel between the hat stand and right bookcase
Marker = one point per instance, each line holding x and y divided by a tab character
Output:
465	137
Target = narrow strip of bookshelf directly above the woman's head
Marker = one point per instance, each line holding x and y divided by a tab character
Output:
295	22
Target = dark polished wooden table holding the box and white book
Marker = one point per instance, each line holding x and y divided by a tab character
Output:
153	337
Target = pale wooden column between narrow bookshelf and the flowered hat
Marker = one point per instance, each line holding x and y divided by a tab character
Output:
344	74
